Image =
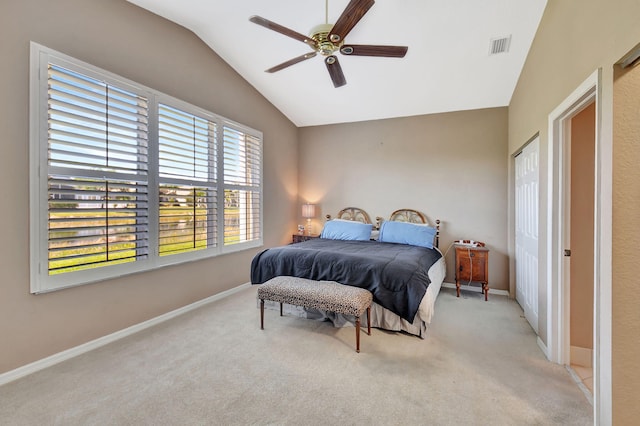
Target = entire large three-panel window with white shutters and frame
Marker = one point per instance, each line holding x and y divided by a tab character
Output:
126	179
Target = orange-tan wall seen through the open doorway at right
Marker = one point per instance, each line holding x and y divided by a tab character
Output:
583	133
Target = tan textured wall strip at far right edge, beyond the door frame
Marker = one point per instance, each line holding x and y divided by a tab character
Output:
626	233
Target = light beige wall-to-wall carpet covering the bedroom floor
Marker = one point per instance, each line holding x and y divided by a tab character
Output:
479	365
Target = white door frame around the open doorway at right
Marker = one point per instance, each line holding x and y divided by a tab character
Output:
558	344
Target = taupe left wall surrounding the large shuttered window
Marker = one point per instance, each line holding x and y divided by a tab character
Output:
126	40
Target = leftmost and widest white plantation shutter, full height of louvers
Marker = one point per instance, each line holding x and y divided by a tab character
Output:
97	173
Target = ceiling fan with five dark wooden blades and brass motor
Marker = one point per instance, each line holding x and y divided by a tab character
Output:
327	39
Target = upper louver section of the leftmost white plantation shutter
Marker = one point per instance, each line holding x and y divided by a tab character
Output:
95	126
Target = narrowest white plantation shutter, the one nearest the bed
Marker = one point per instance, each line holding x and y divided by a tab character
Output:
242	186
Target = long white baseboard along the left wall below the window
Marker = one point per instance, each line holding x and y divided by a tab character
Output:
54	359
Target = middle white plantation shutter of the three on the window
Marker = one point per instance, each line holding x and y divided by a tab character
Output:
187	168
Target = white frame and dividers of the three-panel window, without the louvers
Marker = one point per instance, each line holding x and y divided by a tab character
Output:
40	279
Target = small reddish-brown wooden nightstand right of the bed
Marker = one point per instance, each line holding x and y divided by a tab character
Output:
472	265
